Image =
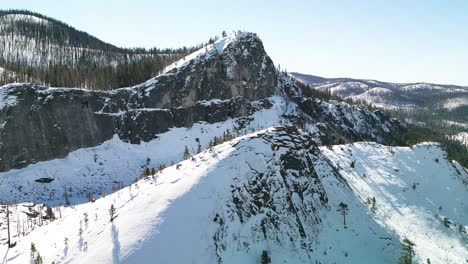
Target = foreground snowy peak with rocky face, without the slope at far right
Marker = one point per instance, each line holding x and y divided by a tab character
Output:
271	190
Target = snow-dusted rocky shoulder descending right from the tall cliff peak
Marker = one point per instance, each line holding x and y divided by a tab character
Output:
335	122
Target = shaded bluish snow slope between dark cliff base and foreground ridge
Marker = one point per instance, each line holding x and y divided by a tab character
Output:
115	163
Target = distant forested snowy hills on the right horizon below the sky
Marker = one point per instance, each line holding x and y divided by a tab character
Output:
423	101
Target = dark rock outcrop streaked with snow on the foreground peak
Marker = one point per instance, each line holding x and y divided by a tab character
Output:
278	199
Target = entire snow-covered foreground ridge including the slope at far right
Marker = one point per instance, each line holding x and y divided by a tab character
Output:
283	199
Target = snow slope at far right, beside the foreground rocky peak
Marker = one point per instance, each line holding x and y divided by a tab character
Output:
419	194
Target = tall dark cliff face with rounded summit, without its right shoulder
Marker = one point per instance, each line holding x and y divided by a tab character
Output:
39	123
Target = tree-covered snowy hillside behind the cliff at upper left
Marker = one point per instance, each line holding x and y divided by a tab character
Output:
43	50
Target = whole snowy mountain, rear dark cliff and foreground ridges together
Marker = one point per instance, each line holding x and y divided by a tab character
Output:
245	164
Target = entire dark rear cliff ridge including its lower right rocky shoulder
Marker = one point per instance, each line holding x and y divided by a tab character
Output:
232	78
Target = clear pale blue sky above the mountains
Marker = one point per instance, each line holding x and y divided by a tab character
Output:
394	40
